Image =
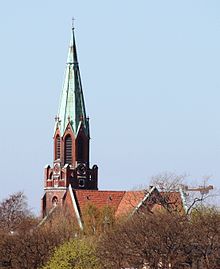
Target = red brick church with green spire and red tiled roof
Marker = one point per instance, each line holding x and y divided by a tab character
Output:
71	181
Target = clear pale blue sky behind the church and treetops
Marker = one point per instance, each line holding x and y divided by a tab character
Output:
150	73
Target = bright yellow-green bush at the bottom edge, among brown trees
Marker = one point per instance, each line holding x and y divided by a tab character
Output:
75	254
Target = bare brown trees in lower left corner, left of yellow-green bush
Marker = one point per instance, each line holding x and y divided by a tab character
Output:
31	246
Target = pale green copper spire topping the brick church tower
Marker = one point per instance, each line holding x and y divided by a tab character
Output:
72	106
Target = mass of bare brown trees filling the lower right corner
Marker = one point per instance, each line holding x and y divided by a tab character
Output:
163	240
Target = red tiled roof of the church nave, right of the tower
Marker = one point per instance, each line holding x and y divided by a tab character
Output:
124	202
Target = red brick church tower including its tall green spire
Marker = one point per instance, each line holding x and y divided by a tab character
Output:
71	140
